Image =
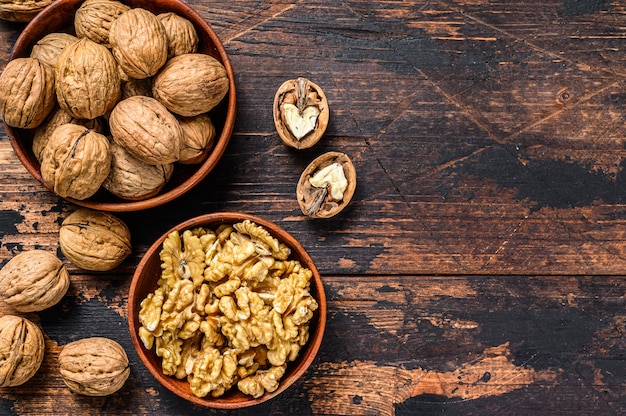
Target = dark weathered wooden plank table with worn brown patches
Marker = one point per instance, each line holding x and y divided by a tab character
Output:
480	267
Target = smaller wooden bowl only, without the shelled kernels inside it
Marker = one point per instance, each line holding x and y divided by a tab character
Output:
145	279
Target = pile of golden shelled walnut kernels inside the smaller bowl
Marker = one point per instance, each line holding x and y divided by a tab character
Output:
231	309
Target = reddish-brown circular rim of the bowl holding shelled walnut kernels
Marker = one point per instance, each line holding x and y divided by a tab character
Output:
213	219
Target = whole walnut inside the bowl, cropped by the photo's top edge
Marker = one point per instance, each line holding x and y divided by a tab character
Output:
94	18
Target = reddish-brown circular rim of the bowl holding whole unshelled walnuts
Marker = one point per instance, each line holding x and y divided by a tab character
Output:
203	169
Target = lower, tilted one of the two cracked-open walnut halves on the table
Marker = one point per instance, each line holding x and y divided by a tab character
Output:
326	196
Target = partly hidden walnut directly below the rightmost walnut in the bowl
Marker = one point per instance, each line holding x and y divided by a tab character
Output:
198	135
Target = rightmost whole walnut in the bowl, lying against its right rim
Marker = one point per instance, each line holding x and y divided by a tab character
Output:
191	84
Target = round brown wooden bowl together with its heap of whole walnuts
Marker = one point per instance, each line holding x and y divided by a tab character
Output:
118	105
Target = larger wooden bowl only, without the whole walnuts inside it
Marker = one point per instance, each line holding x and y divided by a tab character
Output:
58	17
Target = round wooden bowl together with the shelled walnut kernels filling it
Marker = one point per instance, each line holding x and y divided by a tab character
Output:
227	310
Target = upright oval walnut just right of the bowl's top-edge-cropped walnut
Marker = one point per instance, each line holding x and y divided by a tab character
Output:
139	43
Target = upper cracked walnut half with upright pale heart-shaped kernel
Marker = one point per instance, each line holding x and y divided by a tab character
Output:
300	113
